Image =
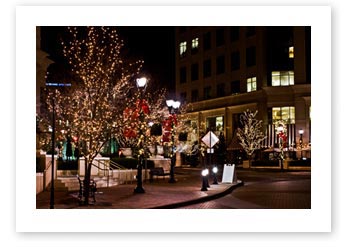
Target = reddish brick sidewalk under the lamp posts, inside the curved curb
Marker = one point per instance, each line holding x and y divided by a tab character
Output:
159	194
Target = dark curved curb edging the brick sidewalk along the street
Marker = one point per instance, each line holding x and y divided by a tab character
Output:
202	199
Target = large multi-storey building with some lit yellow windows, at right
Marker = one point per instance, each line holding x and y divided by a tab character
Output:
223	71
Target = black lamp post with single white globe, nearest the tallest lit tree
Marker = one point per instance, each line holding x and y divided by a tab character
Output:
141	84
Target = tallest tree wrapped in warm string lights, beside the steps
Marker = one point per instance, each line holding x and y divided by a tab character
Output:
89	110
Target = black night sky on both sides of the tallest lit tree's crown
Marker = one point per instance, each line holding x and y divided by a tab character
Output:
155	45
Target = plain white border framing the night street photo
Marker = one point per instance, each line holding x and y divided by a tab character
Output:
29	219
